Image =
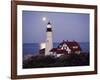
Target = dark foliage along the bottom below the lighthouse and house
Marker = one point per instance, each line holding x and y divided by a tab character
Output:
41	61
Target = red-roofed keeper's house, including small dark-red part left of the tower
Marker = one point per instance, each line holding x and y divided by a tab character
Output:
65	47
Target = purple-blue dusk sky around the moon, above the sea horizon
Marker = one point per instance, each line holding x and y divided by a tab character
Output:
65	26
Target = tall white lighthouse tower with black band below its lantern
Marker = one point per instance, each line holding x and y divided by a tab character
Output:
49	41
